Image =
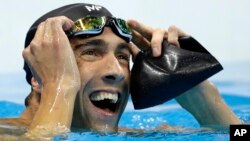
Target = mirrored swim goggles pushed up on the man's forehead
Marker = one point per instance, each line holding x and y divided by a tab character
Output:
94	26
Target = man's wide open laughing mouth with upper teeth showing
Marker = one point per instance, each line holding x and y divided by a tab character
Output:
105	101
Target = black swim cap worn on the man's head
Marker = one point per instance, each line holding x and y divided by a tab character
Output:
73	12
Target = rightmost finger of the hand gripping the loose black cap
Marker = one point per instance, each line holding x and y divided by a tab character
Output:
173	35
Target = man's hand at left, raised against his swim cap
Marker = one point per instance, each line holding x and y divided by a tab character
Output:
50	56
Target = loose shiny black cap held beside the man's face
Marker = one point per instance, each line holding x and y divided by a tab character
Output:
157	80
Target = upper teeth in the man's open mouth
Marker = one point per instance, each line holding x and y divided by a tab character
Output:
104	95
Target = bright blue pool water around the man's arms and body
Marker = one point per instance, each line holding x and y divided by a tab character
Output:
169	113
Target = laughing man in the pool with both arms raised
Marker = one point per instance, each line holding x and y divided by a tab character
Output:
80	76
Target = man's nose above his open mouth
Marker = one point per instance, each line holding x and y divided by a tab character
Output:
113	72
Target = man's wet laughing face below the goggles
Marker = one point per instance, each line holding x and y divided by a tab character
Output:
103	62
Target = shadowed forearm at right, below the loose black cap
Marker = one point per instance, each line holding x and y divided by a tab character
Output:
206	105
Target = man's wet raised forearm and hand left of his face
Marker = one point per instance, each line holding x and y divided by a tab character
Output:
53	65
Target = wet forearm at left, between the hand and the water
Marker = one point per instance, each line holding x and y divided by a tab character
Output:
57	103
